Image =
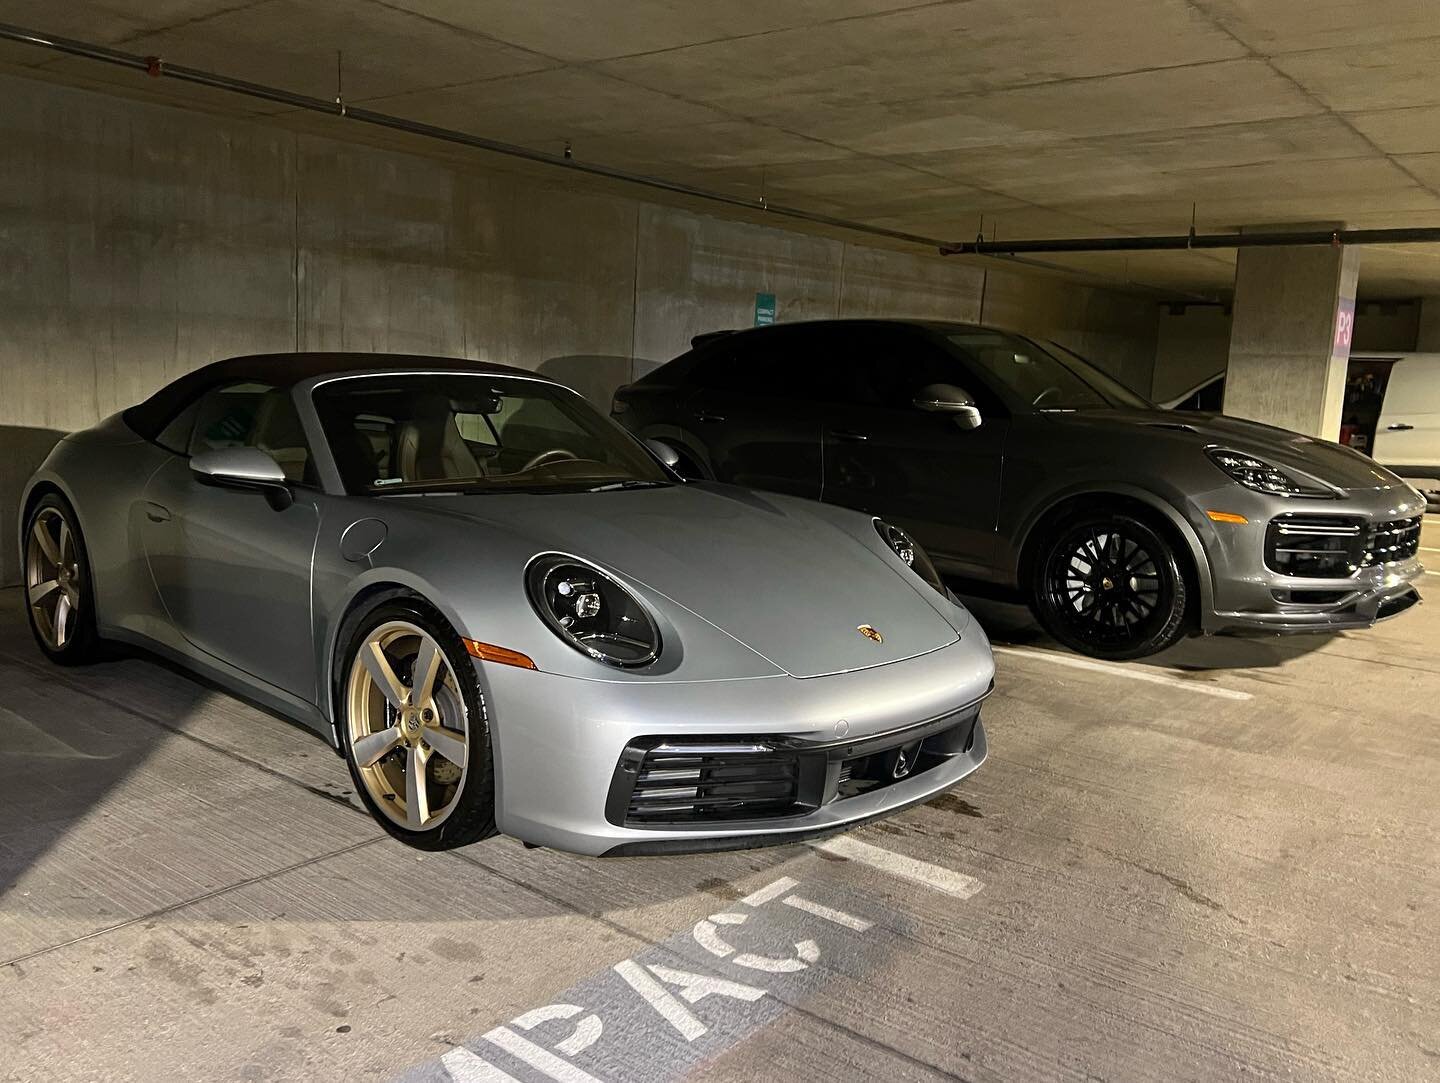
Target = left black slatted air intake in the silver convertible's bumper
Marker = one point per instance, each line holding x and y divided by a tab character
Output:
680	783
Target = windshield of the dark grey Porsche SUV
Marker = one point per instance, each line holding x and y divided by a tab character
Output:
1048	378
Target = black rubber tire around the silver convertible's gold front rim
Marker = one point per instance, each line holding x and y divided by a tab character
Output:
473	814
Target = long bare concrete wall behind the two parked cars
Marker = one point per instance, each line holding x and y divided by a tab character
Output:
140	241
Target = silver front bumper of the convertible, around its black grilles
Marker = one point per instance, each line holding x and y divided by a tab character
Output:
559	744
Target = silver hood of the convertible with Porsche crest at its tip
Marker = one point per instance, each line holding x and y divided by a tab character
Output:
777	574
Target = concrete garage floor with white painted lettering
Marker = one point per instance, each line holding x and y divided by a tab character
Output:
1220	863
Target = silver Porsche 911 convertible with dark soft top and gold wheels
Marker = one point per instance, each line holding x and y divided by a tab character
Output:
506	611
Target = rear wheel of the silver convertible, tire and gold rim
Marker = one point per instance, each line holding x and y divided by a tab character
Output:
80	643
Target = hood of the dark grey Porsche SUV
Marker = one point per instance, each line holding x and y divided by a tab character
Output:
1333	464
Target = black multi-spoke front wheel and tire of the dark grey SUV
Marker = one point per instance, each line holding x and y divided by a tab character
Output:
1108	584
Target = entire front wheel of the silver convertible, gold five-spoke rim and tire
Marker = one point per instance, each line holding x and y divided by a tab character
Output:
414	728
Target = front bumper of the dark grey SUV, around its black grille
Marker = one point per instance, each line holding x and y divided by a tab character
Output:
1252	596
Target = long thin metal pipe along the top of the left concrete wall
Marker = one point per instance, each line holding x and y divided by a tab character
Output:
161	68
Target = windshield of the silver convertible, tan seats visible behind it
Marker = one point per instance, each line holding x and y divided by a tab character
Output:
474	434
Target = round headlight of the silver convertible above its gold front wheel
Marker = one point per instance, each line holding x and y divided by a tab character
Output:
593	613
